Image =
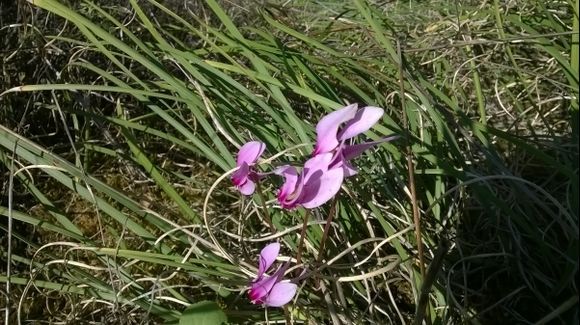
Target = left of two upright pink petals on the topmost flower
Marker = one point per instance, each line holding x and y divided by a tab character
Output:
327	128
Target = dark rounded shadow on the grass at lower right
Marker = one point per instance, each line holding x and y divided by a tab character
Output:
515	253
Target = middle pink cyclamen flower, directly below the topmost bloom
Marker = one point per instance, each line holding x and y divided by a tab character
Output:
314	186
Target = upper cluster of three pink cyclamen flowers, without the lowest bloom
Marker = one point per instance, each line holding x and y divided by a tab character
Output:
322	175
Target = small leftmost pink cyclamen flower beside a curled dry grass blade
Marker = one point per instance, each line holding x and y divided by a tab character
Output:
244	178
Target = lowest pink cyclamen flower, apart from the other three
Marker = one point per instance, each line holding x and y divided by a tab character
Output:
271	290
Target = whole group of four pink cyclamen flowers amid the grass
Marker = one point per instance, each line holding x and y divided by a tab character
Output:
317	182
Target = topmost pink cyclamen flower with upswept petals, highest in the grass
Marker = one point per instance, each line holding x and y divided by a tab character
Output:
331	138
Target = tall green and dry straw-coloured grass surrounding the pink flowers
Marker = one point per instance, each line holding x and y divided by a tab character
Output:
118	205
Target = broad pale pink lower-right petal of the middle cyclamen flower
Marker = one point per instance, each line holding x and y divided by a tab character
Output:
321	187
